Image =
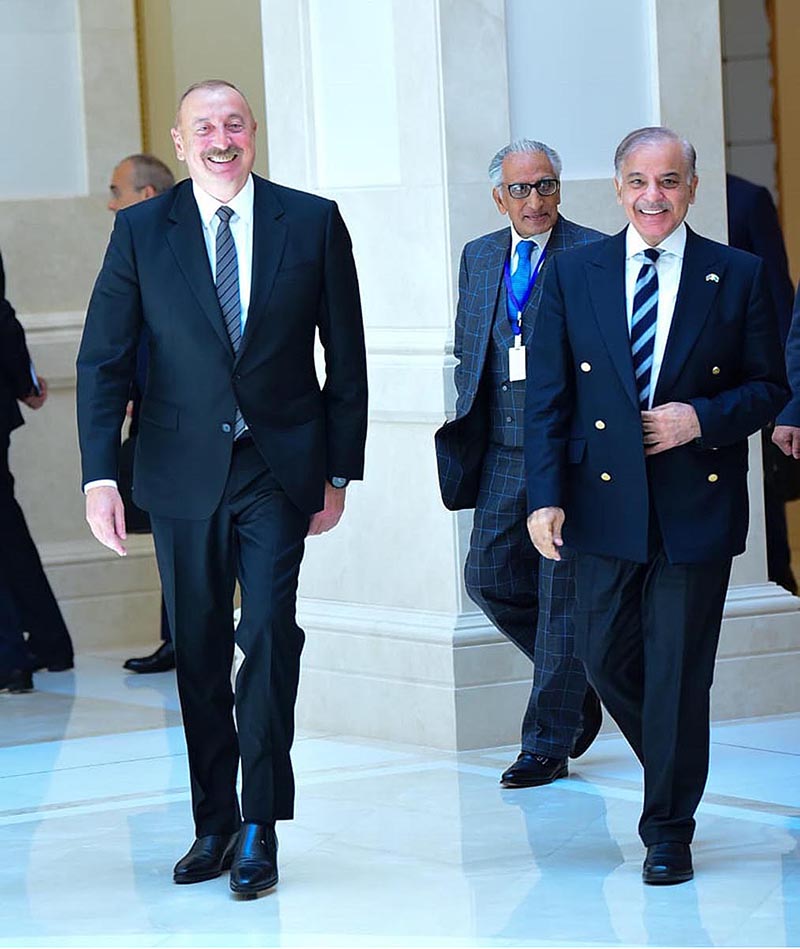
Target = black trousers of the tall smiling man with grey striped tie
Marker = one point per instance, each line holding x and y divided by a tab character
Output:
257	536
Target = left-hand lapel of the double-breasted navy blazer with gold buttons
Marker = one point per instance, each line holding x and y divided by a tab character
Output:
606	276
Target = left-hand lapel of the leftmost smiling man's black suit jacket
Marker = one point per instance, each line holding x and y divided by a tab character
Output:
185	238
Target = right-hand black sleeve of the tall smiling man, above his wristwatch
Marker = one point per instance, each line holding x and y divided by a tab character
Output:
341	333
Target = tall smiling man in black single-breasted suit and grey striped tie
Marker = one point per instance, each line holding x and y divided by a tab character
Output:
240	454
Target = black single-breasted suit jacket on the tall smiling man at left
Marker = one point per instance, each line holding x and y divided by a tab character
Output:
156	273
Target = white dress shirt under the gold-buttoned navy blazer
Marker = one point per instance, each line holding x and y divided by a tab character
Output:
668	266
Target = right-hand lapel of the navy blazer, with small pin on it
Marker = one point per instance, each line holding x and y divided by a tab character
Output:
692	306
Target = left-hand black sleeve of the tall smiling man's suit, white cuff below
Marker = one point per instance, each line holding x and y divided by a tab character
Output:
107	356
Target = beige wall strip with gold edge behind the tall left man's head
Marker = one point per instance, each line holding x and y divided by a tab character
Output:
183	41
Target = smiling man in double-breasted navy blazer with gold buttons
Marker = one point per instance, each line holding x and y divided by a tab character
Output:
656	354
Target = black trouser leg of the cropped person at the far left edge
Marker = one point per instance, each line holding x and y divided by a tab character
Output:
24	577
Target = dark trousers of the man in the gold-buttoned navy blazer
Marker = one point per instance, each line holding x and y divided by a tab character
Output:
648	635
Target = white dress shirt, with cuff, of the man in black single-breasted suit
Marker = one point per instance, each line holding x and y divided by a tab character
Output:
241	224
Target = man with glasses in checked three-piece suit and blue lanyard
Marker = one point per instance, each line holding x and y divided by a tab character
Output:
481	460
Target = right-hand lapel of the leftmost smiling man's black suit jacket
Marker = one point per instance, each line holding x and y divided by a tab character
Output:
269	243
